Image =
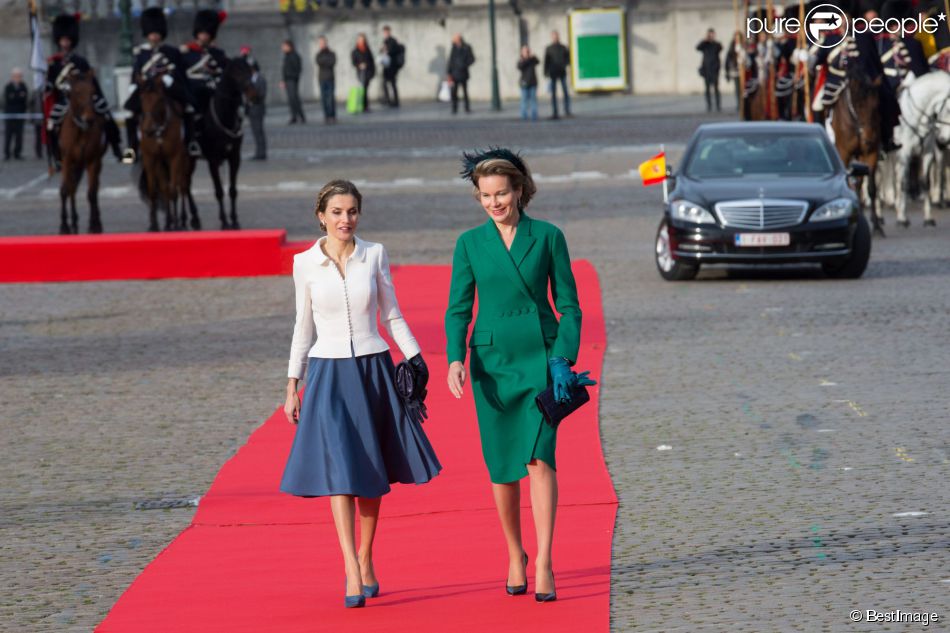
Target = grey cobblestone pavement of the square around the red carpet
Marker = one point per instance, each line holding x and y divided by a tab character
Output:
805	419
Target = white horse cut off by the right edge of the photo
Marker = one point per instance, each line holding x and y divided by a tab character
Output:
924	129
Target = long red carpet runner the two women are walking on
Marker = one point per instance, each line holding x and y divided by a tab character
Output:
257	560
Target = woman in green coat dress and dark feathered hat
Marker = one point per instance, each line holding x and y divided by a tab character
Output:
518	349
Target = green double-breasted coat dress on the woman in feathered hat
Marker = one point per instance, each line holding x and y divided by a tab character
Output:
515	333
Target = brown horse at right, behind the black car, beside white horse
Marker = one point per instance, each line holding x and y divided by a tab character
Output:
856	123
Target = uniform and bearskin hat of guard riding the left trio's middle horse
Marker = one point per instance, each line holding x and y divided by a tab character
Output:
162	60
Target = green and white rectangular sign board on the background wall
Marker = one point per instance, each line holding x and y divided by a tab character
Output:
598	49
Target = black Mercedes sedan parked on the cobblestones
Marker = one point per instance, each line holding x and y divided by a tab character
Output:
762	193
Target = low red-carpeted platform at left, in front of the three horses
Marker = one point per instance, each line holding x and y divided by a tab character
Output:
146	255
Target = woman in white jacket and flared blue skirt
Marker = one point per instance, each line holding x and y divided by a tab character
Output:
355	435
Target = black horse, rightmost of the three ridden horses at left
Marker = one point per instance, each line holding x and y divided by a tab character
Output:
220	135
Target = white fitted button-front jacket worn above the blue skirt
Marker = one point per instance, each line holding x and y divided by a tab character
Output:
339	311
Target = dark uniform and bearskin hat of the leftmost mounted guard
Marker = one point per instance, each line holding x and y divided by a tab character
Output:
56	101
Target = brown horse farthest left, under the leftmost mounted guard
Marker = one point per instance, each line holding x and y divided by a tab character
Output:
82	143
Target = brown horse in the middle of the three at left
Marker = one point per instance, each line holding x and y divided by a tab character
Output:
165	163
